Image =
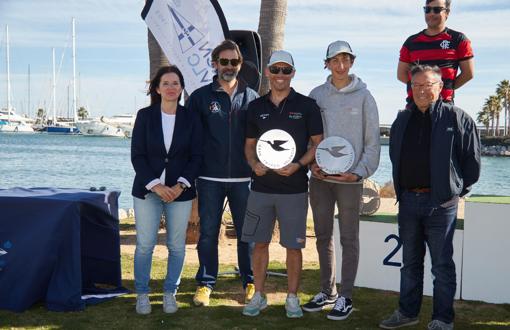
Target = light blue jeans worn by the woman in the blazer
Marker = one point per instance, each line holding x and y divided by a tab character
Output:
147	218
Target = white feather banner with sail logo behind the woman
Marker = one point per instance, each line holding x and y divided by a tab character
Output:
187	32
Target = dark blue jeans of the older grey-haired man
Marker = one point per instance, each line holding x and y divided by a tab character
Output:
421	223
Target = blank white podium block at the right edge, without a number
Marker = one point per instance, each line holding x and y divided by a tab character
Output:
486	266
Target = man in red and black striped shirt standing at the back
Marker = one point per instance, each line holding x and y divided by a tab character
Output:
438	45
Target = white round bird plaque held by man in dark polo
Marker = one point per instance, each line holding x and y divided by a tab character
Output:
276	149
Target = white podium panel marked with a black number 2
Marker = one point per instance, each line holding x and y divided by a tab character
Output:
381	257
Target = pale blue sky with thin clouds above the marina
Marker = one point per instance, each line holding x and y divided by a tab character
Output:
113	64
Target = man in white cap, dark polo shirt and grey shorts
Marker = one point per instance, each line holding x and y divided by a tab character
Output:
280	193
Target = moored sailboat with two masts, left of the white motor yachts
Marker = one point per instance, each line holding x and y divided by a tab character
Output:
64	127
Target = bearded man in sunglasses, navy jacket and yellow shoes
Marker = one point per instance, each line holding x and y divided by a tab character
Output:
225	173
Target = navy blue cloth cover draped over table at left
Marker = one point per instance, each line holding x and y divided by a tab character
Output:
56	243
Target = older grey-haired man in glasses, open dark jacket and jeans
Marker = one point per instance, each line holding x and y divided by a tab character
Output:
435	152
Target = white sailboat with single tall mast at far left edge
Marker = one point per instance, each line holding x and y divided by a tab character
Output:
9	121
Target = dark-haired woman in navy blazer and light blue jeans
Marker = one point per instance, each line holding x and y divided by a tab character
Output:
166	153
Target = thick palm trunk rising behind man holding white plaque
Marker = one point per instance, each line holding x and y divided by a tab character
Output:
272	31
